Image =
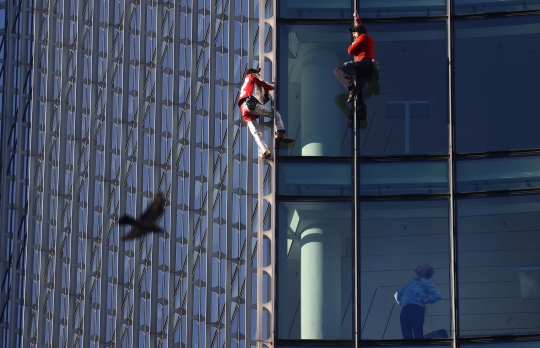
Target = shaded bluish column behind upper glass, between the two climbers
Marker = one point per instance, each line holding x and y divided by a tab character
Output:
320	126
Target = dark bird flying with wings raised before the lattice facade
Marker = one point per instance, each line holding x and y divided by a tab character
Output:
147	222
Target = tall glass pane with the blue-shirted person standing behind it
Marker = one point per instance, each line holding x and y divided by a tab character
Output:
396	237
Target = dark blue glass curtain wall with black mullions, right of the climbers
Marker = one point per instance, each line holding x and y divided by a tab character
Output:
438	187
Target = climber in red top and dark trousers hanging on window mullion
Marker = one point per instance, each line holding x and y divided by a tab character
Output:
363	65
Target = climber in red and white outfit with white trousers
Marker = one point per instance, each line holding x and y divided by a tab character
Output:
253	96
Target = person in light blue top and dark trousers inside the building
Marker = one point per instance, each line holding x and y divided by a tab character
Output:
413	298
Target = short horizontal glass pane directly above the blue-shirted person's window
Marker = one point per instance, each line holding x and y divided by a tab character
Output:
391	178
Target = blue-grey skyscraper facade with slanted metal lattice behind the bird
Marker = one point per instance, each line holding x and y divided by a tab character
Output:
103	104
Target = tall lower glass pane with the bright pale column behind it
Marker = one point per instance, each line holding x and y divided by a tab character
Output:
315	271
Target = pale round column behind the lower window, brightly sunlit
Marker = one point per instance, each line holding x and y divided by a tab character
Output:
320	283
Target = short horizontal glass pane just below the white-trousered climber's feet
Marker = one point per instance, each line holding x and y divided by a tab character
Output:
333	179
